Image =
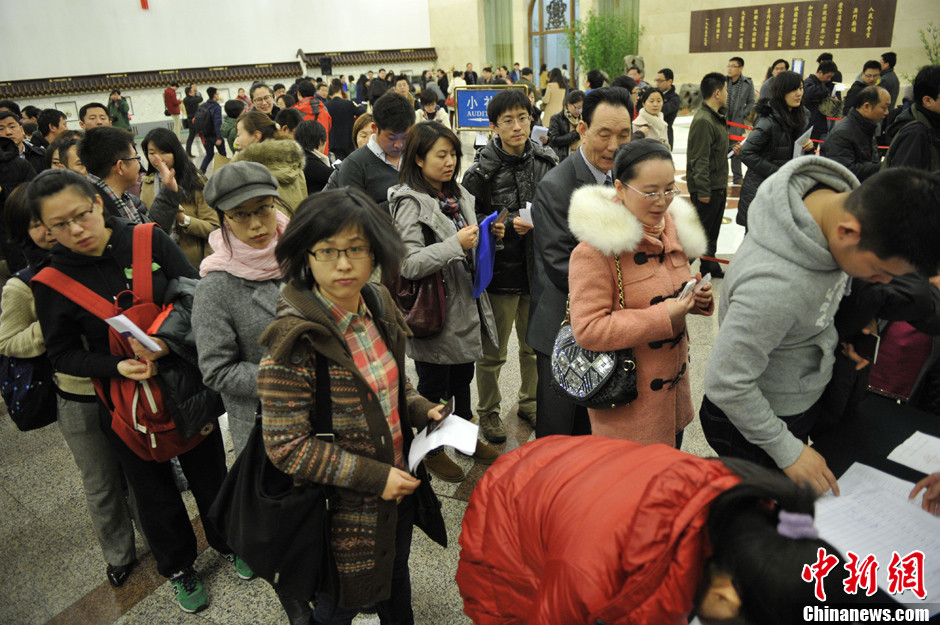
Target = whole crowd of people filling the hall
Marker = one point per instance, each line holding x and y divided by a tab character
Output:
273	262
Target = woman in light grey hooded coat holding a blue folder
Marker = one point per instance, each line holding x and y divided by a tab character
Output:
435	216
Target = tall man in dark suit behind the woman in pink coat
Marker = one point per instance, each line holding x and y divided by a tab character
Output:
605	125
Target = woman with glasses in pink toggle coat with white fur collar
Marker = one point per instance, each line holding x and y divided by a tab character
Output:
625	279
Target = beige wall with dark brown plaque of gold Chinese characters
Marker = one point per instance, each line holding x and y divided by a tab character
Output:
714	30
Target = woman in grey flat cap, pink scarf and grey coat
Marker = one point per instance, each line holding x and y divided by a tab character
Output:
237	295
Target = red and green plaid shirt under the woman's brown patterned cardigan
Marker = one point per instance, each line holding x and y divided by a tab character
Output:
376	364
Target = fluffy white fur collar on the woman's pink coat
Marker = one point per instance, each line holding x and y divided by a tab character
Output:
597	217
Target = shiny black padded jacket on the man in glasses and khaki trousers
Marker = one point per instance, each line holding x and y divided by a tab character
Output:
498	180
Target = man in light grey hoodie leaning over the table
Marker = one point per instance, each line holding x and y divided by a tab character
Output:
814	227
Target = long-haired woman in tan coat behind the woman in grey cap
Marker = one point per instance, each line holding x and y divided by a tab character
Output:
194	219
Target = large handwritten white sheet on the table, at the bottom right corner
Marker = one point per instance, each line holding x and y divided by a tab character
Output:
873	521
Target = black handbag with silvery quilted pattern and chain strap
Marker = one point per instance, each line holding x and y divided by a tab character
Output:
592	379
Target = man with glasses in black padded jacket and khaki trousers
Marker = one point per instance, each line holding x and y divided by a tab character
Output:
504	176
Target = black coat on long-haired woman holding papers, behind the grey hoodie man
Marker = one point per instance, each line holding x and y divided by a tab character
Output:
767	148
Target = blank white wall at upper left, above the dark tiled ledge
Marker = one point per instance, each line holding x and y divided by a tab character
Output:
112	36
